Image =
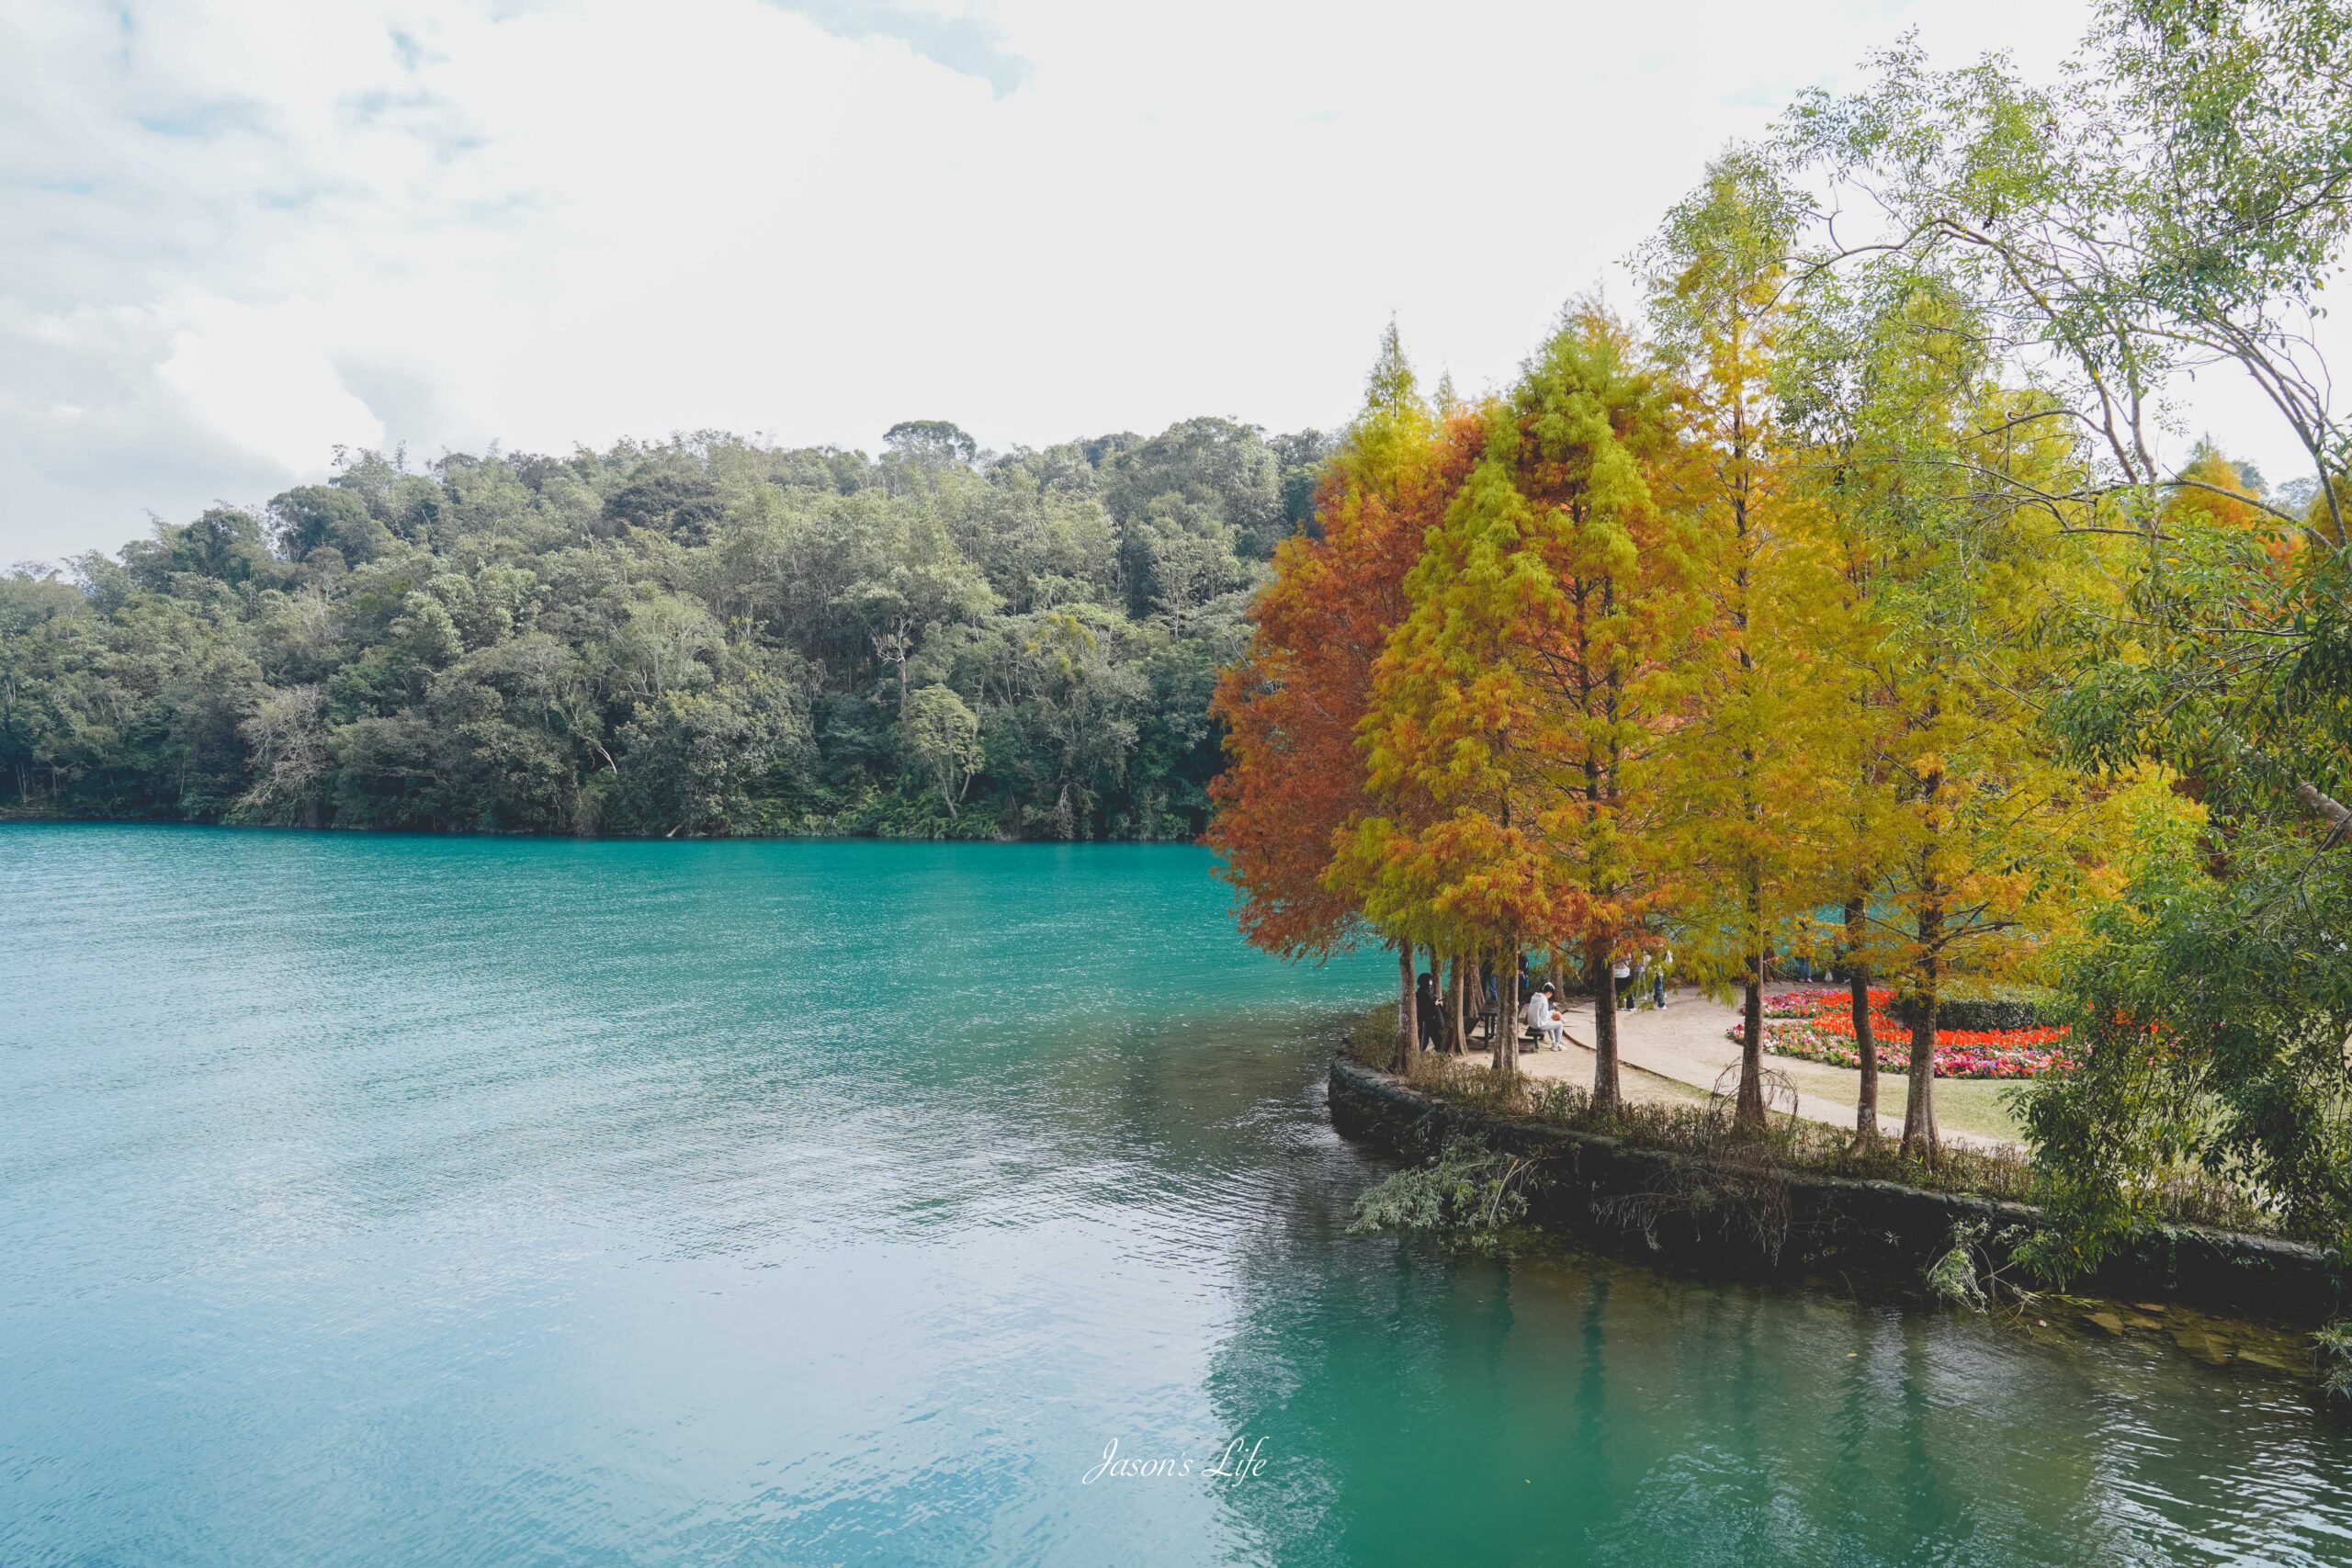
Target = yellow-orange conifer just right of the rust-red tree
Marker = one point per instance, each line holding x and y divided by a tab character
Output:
1516	699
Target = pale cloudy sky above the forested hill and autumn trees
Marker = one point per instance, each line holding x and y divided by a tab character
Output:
241	234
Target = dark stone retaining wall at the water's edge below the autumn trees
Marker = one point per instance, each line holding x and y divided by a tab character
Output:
1770	1221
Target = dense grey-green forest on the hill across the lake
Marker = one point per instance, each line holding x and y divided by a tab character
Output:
690	638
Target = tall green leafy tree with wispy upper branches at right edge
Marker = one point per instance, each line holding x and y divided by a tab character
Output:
2172	213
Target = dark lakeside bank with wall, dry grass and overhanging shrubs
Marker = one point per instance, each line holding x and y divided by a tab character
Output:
1683	1186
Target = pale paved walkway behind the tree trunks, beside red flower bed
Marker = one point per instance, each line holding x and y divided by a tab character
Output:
1685	1047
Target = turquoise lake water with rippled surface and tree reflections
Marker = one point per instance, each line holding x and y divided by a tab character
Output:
380	1200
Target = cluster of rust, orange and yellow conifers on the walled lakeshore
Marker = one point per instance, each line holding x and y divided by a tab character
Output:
1619	662
